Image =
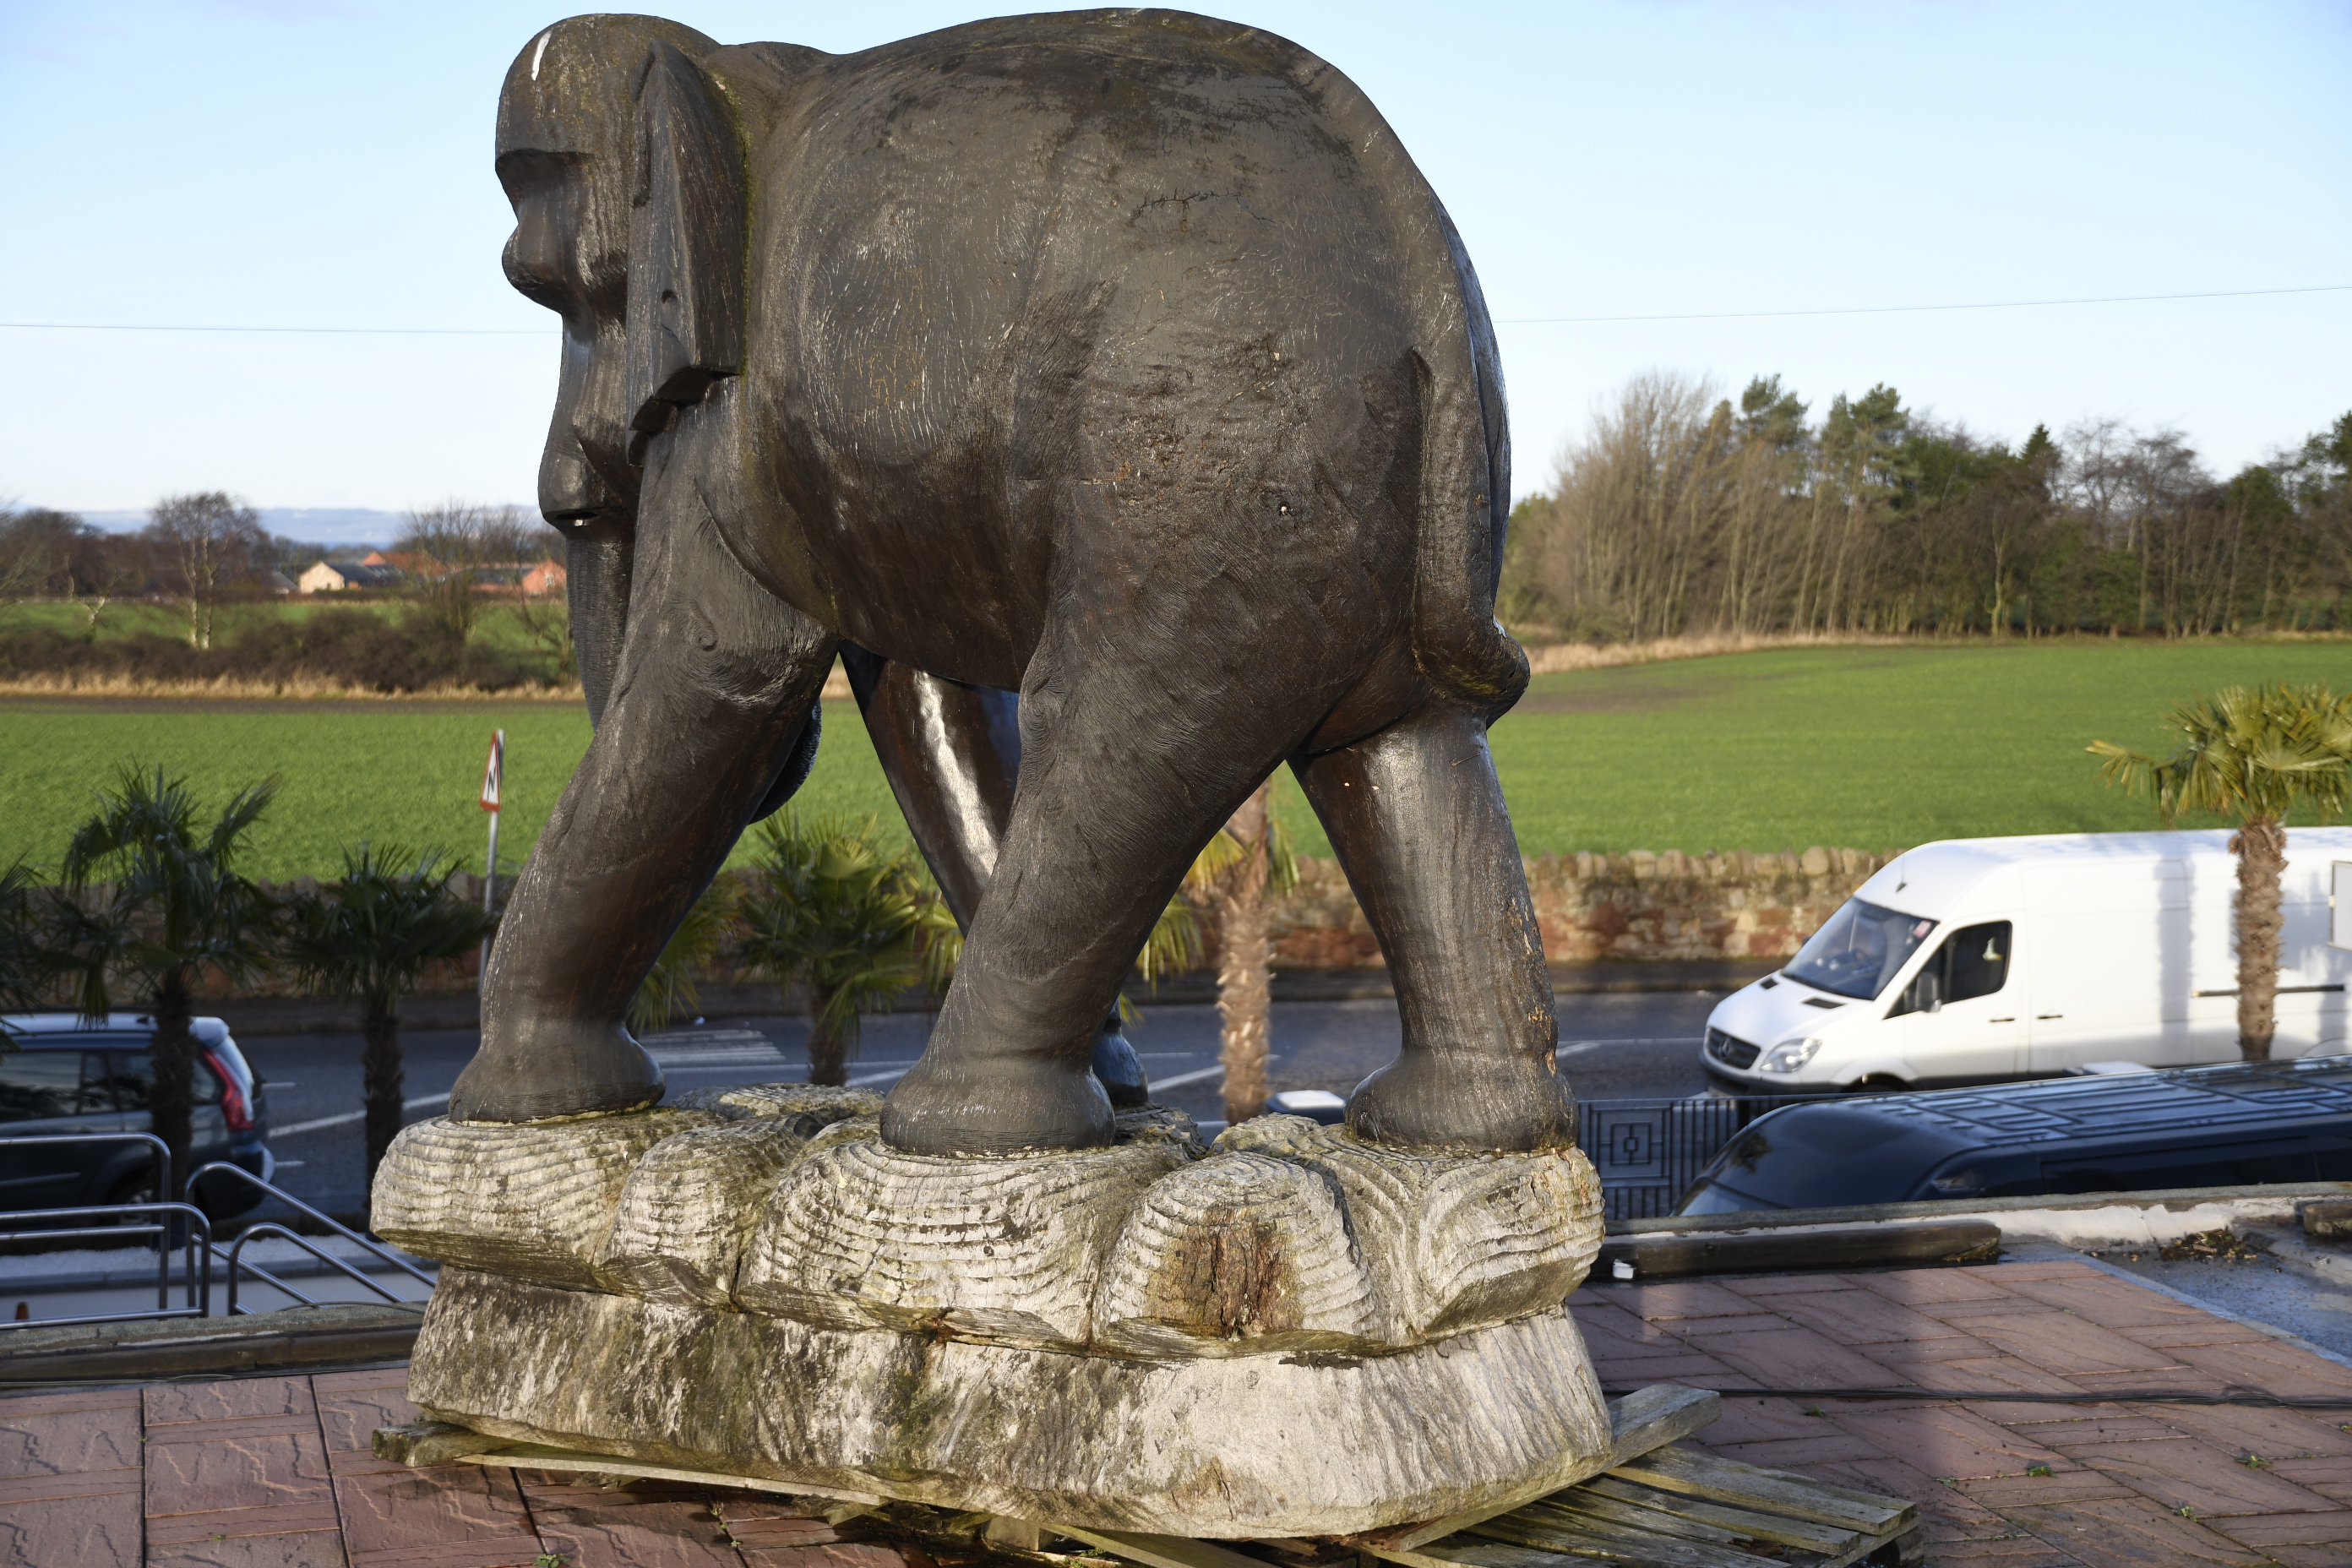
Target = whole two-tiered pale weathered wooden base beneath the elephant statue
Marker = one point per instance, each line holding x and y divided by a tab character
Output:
1297	1334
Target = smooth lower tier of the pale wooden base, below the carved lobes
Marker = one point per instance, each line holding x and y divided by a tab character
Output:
1215	1447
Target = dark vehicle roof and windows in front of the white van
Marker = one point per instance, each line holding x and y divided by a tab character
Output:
2132	1132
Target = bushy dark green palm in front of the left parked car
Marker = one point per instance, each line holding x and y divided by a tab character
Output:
178	911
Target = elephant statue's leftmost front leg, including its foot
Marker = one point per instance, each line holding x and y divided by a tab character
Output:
714	688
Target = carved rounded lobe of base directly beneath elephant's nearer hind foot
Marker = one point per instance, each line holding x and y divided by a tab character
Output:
998	1249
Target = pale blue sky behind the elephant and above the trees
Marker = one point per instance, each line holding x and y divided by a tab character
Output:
272	163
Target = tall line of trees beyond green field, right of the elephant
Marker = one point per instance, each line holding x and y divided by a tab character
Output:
1688	514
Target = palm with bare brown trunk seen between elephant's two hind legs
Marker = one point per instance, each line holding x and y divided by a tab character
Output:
1243	866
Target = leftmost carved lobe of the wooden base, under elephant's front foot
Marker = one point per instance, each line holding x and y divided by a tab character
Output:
521	1200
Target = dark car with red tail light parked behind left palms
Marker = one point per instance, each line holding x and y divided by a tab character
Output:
69	1076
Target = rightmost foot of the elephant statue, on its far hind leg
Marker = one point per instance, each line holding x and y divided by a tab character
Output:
1464	1101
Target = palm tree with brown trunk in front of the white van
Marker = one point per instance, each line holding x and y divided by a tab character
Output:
2252	753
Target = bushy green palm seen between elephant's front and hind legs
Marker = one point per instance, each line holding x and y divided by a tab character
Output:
831	911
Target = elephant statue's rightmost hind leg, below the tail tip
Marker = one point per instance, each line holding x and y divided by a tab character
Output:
1419	826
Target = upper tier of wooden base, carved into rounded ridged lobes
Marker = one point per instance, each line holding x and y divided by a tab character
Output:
1288	1238
